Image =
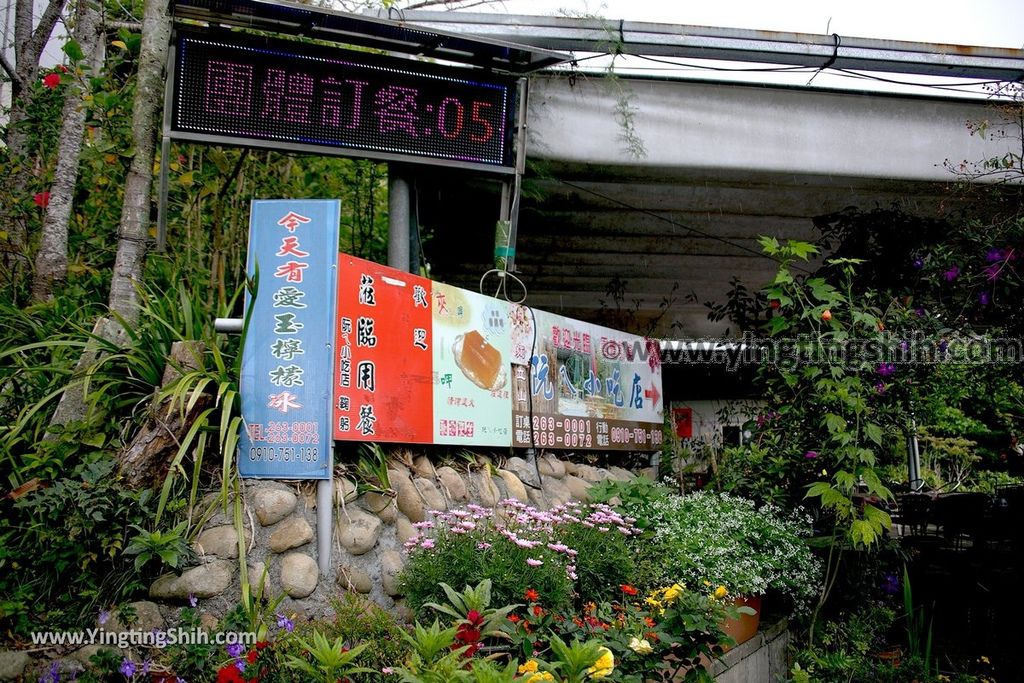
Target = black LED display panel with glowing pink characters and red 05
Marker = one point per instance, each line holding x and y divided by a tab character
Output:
248	89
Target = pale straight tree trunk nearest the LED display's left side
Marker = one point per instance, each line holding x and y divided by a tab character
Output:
134	233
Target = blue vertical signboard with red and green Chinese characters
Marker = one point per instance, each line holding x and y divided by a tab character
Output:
287	358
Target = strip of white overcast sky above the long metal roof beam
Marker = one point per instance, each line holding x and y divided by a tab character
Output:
993	23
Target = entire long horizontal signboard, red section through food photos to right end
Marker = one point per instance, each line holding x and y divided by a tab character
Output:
419	362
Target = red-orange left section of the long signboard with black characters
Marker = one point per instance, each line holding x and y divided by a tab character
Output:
383	383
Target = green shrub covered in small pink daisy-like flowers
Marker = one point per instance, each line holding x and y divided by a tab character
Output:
572	550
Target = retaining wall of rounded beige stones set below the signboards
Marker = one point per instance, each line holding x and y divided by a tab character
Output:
370	530
